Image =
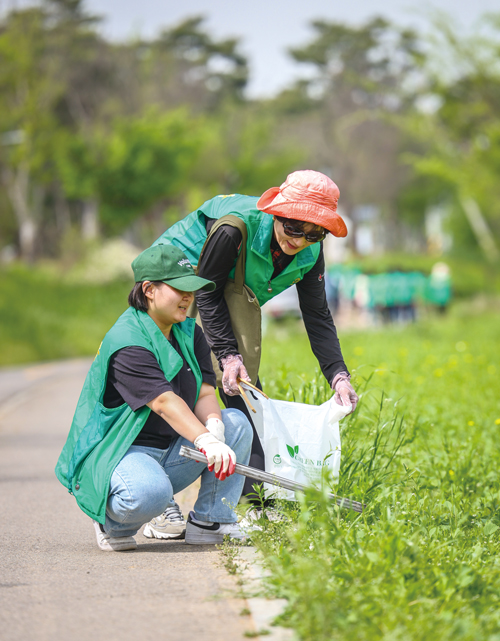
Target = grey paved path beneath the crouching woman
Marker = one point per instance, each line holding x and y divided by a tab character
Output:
54	581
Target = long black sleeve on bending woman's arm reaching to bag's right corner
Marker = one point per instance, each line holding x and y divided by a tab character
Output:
318	320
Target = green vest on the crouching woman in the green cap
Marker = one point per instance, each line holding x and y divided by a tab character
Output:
99	437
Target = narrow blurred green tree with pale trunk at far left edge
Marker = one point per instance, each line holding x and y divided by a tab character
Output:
28	94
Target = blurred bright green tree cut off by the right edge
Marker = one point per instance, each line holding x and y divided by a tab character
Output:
459	140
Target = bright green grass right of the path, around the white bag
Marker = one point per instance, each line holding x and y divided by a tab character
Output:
422	561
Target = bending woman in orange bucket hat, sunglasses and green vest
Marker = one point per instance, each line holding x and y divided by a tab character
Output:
285	228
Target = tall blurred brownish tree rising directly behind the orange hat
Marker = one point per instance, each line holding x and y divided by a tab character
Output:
346	110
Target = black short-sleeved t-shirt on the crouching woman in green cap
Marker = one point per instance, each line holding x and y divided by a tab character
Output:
136	378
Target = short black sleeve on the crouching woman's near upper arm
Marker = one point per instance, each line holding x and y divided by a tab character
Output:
135	377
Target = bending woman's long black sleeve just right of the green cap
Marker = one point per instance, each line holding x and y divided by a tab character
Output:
215	264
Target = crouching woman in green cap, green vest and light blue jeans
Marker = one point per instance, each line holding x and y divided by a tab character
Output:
151	389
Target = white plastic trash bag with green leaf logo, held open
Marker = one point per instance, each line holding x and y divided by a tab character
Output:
298	440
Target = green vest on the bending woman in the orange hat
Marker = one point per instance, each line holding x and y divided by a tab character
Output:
190	234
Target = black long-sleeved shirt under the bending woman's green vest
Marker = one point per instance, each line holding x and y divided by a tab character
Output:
219	258
